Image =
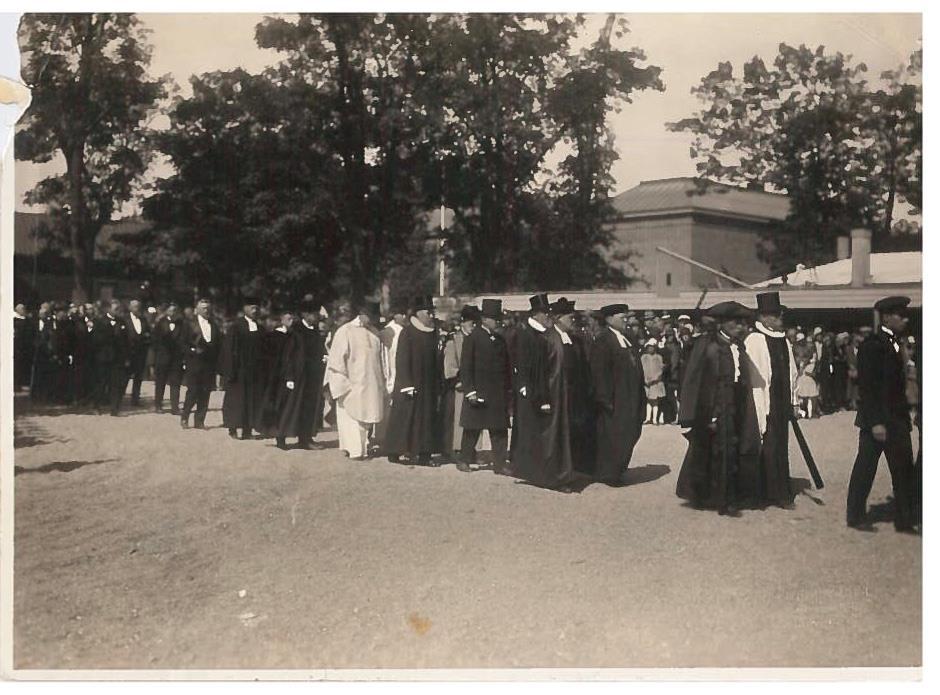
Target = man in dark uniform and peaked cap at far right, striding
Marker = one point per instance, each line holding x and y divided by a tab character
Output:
883	418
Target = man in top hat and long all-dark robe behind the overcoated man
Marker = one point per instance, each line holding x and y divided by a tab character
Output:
541	447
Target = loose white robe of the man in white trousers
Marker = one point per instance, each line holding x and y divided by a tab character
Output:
355	374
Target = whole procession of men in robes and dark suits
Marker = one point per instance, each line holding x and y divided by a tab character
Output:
559	398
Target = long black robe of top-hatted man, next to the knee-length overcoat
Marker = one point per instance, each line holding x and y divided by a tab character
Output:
550	465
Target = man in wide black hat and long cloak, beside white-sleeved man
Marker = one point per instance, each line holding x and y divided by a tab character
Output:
715	408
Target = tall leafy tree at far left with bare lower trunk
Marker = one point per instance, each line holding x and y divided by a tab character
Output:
91	98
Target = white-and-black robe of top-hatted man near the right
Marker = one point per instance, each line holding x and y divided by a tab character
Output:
772	375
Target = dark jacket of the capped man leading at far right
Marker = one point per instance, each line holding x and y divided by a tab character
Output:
881	383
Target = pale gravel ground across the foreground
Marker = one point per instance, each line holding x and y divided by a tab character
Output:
139	545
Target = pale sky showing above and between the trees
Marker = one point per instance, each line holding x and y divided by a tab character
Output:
686	46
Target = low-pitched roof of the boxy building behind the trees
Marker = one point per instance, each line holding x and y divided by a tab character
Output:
688	194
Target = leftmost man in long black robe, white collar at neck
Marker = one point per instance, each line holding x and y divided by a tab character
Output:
243	391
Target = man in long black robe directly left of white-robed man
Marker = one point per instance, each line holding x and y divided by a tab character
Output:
301	379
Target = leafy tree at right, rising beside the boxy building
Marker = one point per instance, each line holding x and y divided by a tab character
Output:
808	126
